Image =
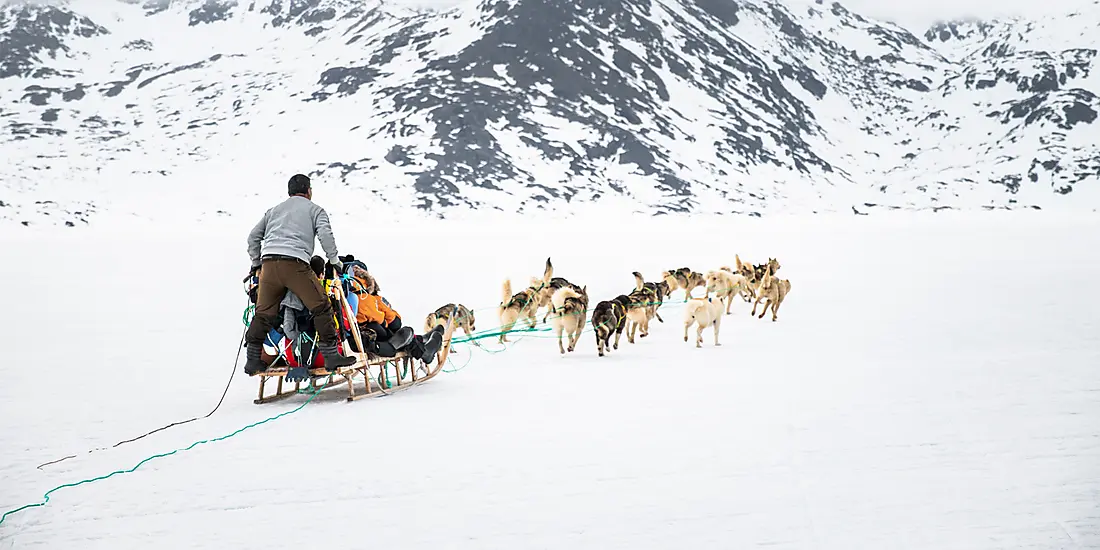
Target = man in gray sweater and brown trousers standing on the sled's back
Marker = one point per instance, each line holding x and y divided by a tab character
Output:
281	247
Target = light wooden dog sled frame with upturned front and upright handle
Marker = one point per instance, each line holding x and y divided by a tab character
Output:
406	373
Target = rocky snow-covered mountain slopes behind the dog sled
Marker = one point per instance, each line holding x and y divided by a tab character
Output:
522	106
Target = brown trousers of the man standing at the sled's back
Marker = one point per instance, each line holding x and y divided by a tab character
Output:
277	278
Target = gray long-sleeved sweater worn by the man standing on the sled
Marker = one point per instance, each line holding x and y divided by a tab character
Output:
292	229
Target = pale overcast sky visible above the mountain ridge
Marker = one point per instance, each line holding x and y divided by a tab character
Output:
916	15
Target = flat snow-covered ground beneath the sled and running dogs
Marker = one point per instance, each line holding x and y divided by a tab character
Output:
932	383
